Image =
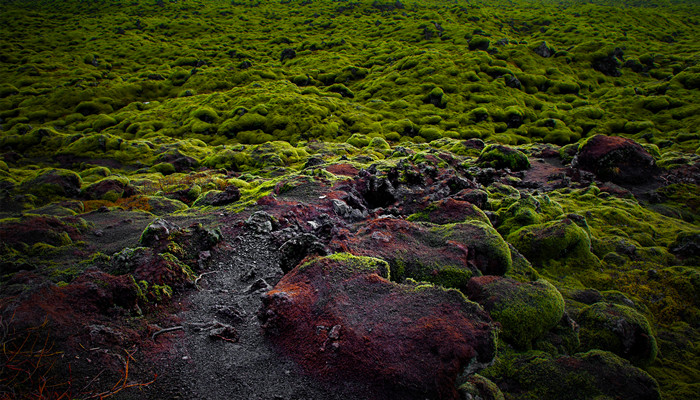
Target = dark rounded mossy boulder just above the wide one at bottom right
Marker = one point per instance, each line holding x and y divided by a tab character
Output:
619	329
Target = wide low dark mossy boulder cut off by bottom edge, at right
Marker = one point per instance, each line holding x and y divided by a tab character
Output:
593	375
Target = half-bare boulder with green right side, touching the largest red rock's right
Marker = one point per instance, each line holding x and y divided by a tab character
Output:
525	310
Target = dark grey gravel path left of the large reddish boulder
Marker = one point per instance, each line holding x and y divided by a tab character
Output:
205	367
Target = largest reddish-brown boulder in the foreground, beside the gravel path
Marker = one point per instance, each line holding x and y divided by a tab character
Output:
340	316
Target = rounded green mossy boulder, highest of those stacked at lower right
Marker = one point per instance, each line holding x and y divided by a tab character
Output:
559	243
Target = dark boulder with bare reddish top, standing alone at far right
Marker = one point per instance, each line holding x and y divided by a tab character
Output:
616	159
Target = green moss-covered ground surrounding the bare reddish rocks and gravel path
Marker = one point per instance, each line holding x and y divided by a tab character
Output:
145	108
